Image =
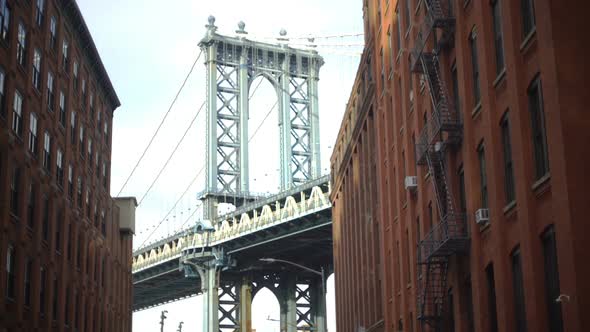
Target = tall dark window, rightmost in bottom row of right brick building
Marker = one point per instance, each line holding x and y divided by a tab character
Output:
551	269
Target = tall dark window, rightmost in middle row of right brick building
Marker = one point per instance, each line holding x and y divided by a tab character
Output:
540	150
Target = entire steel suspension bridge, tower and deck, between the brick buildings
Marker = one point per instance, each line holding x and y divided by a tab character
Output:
266	240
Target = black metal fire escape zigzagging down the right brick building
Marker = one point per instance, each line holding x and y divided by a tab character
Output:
441	133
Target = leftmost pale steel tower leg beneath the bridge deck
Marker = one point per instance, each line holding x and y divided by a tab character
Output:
209	287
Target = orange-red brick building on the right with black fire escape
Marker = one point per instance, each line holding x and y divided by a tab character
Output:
481	205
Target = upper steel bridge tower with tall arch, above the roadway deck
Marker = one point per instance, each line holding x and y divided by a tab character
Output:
232	63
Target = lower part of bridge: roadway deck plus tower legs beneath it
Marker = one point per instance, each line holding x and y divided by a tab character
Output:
189	263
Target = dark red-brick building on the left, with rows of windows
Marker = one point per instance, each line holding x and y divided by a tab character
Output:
65	244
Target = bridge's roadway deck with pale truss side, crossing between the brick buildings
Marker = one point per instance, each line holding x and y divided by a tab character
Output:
298	231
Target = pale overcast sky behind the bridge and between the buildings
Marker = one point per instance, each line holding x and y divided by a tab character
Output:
148	47
